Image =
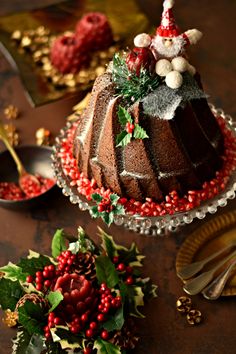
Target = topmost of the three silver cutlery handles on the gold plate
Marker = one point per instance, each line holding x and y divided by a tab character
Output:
190	270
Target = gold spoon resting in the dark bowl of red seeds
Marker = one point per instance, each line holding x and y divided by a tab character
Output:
24	176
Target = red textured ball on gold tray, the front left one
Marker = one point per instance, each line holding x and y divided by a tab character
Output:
69	54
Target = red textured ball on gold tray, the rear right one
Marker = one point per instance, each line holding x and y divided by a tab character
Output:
95	28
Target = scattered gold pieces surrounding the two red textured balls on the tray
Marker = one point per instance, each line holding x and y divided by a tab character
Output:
37	43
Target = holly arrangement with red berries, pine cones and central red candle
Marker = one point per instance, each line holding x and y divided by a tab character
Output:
81	299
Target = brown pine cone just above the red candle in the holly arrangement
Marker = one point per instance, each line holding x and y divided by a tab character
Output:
85	265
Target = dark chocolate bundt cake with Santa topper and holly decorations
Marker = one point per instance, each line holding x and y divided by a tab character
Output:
170	138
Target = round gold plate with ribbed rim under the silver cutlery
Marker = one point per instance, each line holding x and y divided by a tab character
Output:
209	238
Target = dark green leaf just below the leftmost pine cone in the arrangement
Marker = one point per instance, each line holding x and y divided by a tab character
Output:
32	317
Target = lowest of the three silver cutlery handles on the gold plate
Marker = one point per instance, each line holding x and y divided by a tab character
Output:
214	289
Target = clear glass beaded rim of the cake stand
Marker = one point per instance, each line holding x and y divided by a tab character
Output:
155	225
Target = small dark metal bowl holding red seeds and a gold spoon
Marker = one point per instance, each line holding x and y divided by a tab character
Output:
36	160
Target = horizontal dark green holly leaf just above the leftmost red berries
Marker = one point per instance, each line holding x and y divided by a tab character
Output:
35	262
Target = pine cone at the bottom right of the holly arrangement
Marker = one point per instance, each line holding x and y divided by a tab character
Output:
125	338
